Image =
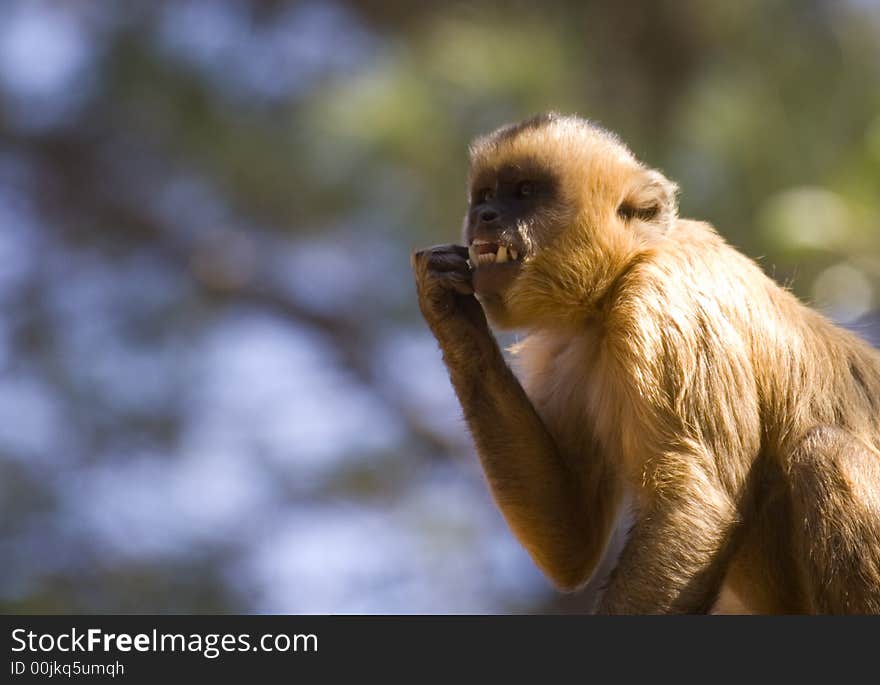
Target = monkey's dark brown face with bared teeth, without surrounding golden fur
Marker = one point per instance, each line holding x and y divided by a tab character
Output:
510	212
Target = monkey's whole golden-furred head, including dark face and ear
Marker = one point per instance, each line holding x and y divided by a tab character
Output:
558	208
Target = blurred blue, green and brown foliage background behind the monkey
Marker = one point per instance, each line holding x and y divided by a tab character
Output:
216	393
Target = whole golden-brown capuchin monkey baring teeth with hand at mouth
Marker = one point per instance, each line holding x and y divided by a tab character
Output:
665	389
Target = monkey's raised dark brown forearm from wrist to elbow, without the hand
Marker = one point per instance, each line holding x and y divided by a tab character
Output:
539	494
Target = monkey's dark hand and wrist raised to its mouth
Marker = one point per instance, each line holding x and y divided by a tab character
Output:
446	296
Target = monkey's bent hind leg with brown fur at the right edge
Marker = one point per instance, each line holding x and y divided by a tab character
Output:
835	487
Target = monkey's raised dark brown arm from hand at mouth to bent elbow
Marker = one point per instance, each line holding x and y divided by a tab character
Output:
540	496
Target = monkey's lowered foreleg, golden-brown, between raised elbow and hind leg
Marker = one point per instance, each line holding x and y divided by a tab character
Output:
675	558
